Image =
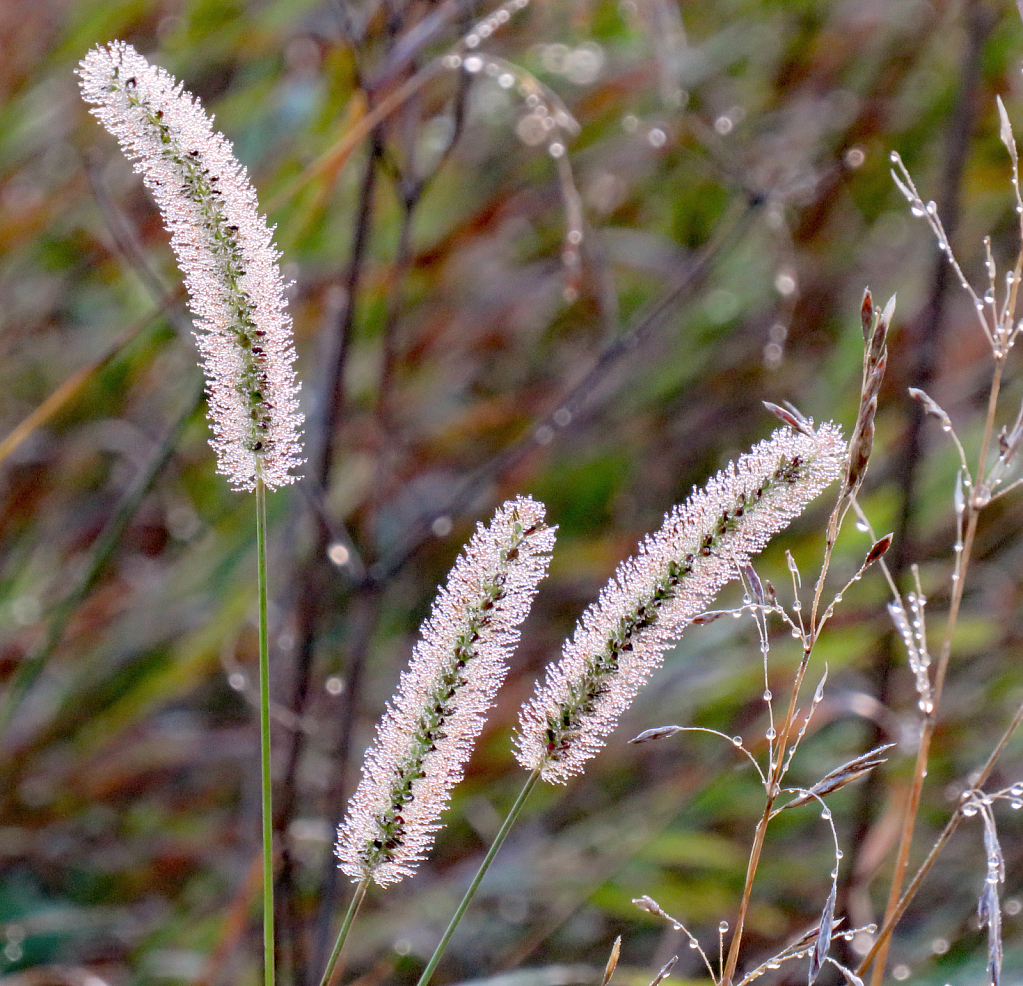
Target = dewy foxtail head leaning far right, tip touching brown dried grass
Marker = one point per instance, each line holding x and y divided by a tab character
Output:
654	596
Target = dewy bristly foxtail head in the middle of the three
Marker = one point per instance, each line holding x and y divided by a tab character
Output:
428	733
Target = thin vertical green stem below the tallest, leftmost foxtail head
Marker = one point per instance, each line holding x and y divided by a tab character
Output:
264	736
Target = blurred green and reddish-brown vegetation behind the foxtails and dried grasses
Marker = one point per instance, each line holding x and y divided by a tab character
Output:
590	309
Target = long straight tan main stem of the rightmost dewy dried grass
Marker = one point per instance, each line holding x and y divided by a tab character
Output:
920	772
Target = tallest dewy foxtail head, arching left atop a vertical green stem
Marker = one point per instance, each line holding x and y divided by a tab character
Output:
227	254
